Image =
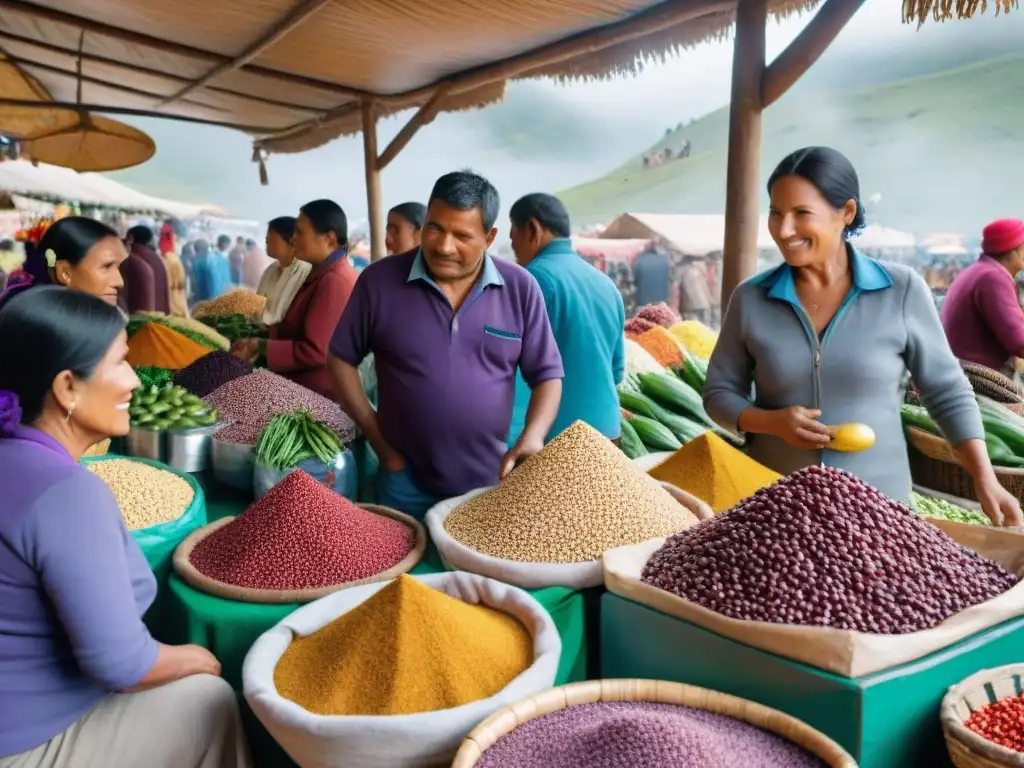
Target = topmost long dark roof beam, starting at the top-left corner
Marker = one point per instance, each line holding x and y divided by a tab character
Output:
138	38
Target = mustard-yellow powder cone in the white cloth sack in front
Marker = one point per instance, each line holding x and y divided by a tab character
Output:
407	650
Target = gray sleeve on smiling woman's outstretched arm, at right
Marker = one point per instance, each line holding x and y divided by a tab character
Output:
944	386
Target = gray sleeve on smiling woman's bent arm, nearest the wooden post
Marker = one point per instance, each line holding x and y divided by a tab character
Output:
731	372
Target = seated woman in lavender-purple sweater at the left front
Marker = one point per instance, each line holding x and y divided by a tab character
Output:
82	682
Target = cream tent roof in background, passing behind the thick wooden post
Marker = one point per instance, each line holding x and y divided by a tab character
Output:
693	235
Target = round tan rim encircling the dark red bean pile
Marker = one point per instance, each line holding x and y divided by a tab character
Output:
203	583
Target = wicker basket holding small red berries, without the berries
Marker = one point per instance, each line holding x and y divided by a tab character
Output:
967	749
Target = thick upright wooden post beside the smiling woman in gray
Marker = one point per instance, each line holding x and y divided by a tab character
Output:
740	257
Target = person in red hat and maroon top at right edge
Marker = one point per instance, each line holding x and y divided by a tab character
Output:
982	315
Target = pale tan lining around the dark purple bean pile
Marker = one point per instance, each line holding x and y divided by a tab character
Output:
841	652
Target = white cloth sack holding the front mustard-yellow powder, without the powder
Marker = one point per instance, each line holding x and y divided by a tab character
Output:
397	741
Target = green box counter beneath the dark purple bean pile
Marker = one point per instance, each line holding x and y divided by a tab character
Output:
886	720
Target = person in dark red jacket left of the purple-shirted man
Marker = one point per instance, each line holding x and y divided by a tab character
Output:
298	346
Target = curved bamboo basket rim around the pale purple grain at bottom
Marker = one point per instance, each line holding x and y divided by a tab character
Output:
506	720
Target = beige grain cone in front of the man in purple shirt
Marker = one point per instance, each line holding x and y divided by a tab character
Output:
574	501
